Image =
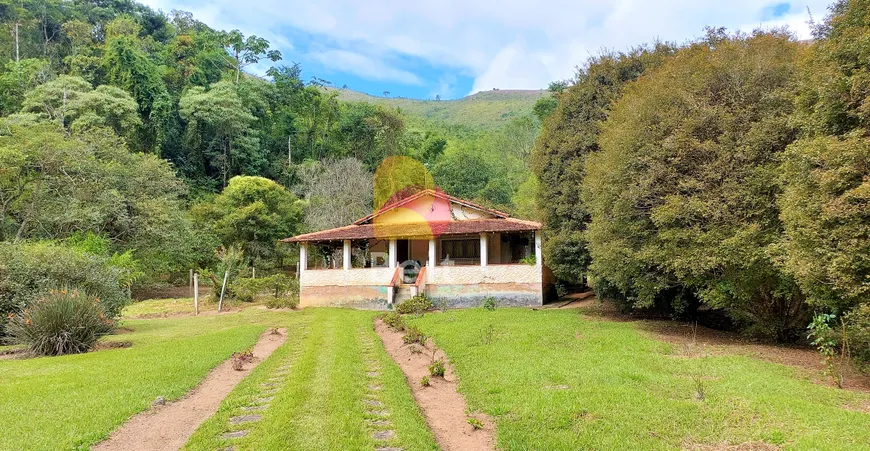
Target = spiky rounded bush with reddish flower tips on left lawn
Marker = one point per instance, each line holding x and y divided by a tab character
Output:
60	322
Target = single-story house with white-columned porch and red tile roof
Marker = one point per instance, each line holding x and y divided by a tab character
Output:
456	252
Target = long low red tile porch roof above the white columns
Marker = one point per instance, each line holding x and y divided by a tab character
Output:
417	230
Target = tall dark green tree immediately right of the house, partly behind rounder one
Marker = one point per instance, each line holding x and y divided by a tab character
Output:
569	134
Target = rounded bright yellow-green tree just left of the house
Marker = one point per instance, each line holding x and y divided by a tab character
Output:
254	213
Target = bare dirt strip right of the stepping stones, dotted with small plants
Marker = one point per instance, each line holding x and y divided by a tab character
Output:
444	408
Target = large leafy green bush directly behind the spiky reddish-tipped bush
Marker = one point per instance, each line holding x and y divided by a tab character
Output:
28	270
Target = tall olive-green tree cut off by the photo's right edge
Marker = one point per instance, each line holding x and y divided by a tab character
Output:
826	176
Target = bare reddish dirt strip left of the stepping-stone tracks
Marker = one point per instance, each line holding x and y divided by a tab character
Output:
169	427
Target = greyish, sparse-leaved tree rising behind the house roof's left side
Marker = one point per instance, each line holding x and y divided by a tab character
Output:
338	193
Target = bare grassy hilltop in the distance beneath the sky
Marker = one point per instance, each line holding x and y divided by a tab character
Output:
485	110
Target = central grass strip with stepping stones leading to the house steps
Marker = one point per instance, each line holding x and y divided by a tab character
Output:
321	402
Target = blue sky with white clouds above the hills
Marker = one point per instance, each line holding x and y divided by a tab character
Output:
453	48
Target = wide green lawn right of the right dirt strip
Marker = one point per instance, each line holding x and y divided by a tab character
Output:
555	380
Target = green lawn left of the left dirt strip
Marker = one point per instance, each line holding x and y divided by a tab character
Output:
74	401
